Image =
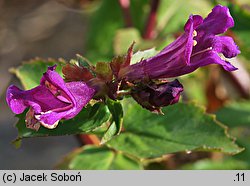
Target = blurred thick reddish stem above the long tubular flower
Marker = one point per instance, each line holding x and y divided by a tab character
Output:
151	22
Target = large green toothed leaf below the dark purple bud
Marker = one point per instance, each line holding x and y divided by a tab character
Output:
184	127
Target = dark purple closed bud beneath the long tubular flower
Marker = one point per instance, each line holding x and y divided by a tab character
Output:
153	96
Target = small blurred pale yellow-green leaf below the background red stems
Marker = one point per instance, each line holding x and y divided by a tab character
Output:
124	38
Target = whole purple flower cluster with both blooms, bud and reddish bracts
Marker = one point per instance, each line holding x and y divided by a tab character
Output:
56	98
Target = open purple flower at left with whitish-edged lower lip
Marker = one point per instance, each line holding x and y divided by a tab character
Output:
51	101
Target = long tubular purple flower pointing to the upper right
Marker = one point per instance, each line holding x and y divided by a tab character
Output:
198	46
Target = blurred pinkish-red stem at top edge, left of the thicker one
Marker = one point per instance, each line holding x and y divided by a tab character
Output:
125	6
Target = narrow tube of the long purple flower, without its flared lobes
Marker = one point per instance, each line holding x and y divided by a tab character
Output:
162	65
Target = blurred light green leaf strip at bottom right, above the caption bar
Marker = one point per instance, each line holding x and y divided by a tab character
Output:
224	164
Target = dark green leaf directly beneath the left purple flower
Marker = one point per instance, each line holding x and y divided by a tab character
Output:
89	119
